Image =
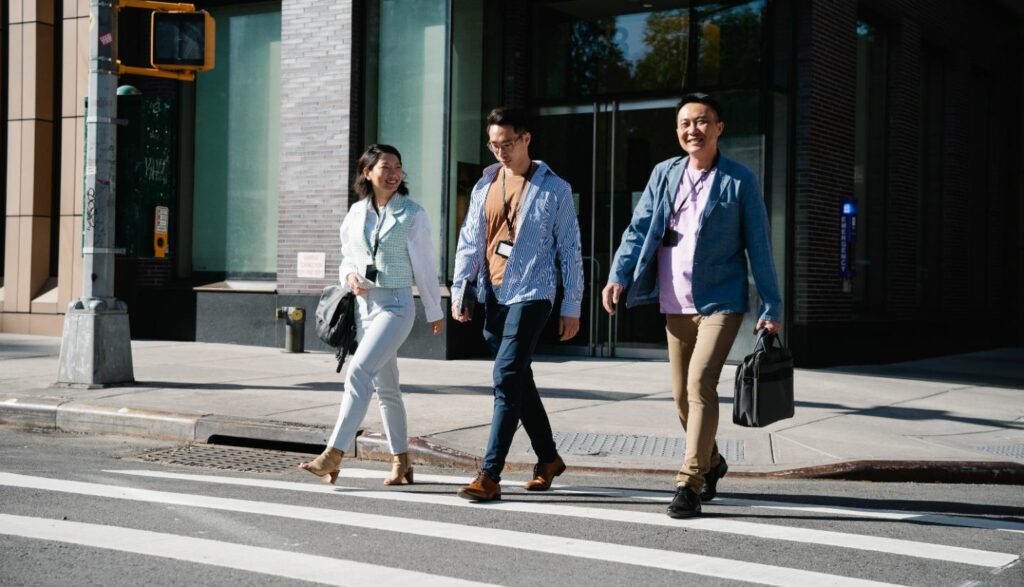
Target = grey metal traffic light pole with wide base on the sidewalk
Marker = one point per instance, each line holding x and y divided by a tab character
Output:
96	350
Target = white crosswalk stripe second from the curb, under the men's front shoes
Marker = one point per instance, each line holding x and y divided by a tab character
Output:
792	534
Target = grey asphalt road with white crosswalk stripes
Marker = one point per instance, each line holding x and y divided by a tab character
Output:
78	510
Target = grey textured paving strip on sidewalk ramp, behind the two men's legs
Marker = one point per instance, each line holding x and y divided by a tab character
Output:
595	445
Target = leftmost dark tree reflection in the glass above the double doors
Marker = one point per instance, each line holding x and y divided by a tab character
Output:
598	63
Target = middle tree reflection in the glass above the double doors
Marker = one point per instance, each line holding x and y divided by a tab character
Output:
666	35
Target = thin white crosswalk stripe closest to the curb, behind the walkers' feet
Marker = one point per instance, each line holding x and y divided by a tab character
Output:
916	517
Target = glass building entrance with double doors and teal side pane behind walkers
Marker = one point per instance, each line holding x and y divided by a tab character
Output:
601	79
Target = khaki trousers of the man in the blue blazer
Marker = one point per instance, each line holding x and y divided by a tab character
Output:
699	347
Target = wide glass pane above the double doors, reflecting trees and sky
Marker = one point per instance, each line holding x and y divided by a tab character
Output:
595	49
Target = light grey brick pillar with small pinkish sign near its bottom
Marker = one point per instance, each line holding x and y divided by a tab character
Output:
316	87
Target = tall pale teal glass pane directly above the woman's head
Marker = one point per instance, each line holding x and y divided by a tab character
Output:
408	93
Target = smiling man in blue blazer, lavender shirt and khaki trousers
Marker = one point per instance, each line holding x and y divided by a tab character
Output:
699	221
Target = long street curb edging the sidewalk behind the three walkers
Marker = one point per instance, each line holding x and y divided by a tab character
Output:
64	415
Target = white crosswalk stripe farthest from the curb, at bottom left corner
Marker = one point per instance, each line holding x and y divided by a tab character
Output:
232	556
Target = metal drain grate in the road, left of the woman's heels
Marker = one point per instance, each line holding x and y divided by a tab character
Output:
229	458
